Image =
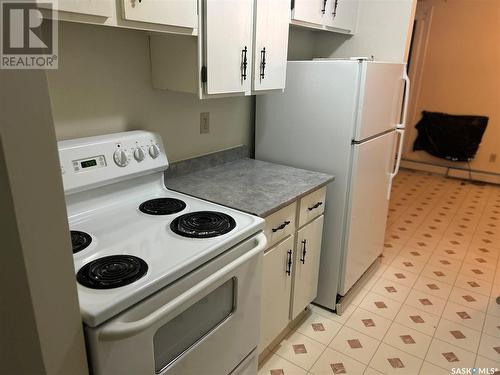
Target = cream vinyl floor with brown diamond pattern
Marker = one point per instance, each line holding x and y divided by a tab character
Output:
430	307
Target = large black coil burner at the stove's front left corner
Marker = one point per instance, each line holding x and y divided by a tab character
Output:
111	271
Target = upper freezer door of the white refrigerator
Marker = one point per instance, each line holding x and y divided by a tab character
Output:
381	94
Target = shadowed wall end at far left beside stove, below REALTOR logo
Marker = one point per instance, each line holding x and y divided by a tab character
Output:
40	322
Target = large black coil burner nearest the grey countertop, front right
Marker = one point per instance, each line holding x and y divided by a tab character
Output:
203	224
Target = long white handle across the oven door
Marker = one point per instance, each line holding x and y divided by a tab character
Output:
120	330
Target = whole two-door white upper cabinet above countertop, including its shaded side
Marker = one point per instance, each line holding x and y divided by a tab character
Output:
241	50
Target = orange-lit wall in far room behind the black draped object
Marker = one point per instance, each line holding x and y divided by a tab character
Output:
461	72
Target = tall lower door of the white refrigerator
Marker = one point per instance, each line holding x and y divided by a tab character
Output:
372	166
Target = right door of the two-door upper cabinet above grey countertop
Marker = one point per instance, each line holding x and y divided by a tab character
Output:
271	44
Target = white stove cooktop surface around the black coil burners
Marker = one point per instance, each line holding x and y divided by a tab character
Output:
124	230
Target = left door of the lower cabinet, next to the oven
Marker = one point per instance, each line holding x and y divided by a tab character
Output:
276	289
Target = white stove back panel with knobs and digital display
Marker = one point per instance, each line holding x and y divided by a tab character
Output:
102	160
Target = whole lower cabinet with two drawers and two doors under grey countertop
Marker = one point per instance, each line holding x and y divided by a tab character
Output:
291	264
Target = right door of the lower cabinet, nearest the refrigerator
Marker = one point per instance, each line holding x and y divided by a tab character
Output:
307	255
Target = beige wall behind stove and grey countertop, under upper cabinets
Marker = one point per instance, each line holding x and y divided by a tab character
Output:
103	85
